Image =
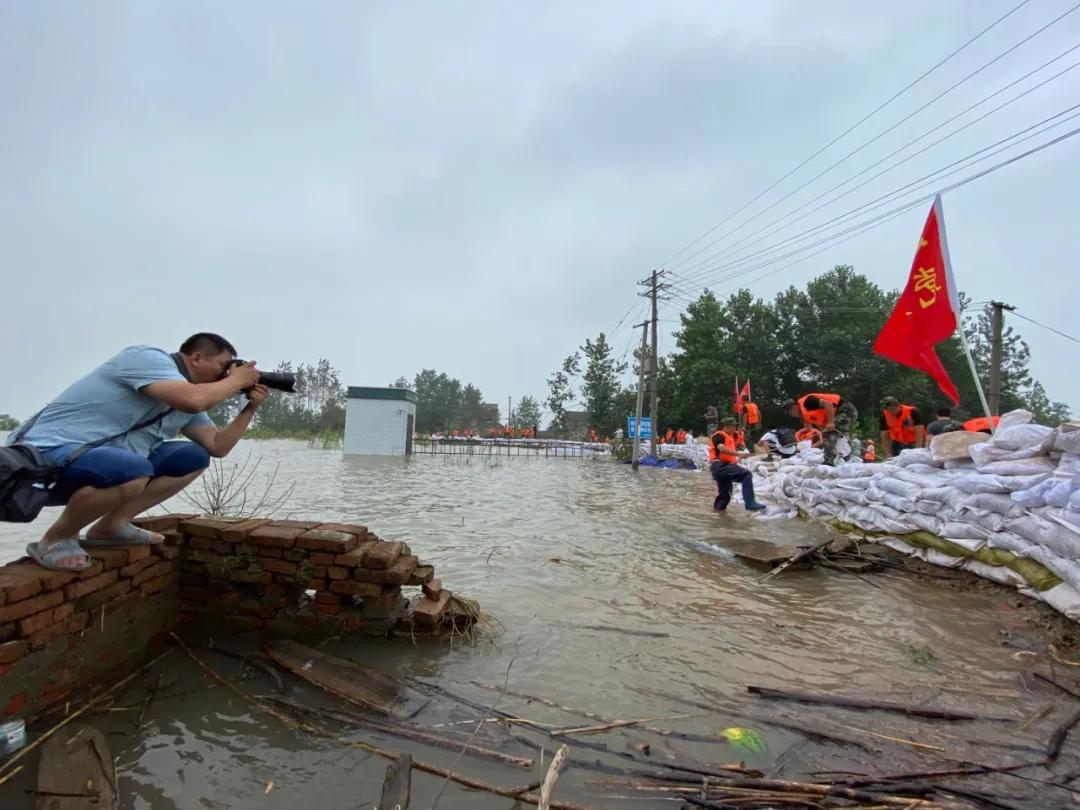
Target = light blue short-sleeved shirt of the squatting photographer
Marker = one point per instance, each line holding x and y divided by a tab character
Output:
110	400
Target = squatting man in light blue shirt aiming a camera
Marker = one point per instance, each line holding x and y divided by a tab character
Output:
130	409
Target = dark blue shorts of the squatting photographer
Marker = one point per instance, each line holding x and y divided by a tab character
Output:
103	468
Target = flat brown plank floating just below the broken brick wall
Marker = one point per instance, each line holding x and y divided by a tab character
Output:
353	683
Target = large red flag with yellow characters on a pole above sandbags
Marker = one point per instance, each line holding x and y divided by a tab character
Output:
928	309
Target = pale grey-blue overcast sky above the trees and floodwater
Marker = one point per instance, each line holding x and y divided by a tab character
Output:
477	187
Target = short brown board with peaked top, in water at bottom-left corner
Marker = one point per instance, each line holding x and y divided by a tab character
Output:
77	772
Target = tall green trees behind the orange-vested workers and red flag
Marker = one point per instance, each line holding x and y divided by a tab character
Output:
814	340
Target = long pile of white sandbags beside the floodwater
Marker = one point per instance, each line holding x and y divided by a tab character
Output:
1006	508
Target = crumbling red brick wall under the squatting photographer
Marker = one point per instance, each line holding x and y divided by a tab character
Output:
63	633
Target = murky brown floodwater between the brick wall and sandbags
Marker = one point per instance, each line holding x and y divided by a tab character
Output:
553	549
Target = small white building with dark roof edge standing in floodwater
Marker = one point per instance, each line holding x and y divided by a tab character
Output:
380	422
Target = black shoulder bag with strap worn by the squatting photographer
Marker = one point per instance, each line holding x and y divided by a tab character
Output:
28	478
